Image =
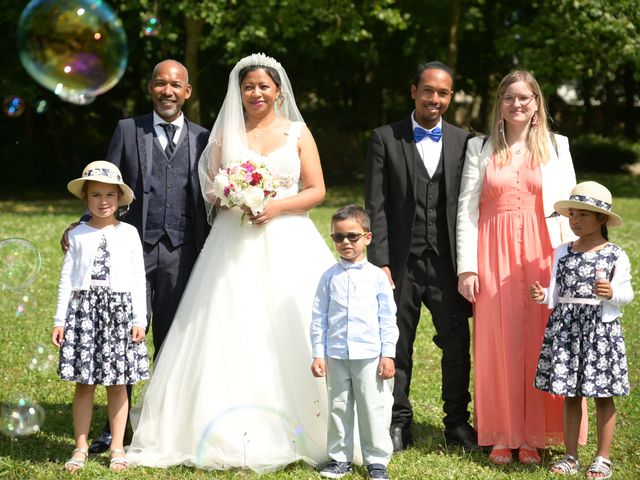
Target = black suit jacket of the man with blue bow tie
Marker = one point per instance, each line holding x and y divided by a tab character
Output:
390	189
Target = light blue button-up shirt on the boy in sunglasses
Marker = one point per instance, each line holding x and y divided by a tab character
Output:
354	314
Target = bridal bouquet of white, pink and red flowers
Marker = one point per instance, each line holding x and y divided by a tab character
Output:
245	184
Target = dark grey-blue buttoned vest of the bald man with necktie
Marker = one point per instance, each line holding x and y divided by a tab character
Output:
169	200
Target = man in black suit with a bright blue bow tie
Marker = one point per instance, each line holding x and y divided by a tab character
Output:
412	180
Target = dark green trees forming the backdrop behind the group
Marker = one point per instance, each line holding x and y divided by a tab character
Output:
350	63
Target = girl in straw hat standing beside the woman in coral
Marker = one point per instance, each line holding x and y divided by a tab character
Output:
583	351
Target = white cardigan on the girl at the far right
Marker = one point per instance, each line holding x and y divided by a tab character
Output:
620	284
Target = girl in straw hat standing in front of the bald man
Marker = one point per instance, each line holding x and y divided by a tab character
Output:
101	316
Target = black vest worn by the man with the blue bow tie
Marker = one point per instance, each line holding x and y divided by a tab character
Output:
430	232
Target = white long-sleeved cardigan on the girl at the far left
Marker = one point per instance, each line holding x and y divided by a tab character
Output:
127	273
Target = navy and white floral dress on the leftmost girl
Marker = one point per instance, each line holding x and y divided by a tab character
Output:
97	346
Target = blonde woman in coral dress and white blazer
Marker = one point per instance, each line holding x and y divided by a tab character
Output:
506	234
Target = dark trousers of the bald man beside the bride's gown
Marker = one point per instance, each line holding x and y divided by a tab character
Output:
167	269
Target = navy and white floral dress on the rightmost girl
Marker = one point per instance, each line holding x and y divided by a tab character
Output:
581	355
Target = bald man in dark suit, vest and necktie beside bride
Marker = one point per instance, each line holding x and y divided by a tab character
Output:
158	154
